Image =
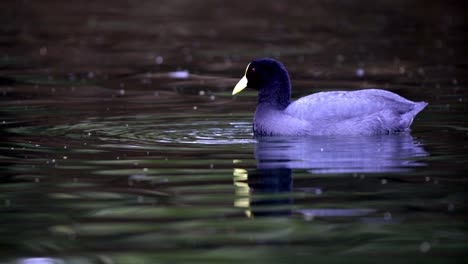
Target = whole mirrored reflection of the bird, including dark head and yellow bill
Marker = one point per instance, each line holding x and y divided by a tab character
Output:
277	157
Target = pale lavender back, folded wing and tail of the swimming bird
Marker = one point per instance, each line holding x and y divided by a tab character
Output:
371	111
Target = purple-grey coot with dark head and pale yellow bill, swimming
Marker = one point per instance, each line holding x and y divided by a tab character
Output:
361	112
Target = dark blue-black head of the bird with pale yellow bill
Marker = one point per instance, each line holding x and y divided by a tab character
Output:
271	79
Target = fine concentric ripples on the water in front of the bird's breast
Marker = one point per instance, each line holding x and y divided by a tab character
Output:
148	129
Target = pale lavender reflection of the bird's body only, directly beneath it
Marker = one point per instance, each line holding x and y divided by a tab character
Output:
384	153
